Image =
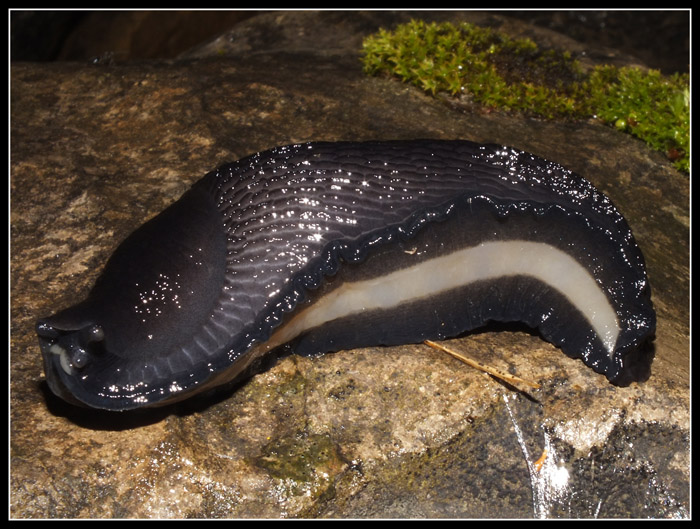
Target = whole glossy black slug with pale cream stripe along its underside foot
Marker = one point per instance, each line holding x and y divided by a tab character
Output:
339	245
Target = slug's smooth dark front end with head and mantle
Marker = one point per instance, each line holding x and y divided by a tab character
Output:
121	347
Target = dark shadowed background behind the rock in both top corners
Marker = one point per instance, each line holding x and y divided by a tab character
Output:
660	39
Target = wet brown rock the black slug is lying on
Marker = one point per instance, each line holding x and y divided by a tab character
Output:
380	432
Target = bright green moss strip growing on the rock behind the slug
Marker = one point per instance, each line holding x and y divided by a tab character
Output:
514	75
